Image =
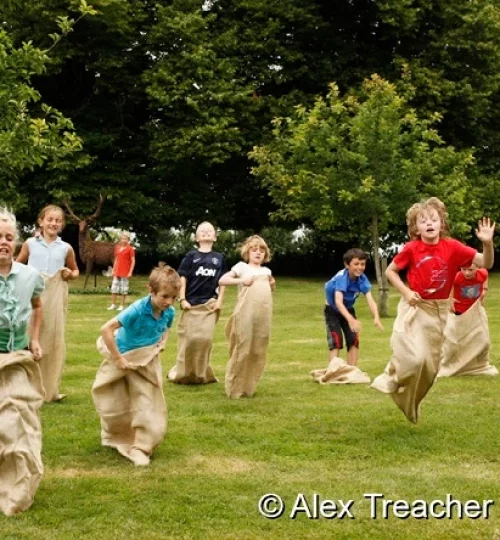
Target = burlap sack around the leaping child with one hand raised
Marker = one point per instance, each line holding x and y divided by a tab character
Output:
417	339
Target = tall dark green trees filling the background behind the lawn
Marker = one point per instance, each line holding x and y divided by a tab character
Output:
169	96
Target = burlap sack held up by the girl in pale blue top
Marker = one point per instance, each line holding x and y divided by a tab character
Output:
52	333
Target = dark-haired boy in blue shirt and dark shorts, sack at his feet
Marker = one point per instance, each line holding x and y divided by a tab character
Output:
341	294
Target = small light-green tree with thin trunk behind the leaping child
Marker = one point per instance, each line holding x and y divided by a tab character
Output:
352	165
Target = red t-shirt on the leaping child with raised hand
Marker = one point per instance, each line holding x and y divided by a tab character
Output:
431	268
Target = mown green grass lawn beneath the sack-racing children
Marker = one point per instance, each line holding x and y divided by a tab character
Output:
294	437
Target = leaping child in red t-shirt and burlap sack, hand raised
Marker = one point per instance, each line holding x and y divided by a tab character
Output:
431	261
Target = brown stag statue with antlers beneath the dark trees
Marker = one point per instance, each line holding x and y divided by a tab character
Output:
91	252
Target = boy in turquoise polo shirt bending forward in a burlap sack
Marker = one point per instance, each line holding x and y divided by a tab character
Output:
127	391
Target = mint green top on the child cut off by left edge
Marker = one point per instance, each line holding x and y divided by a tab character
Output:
16	291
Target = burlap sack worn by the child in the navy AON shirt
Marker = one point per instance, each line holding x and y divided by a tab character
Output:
195	331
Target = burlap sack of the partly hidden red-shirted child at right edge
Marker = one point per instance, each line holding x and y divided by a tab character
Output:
466	348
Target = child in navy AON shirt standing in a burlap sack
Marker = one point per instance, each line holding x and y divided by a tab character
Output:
201	301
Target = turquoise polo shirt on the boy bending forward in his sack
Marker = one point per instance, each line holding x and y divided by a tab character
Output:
139	326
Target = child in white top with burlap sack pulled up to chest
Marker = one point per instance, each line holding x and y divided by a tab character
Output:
249	327
